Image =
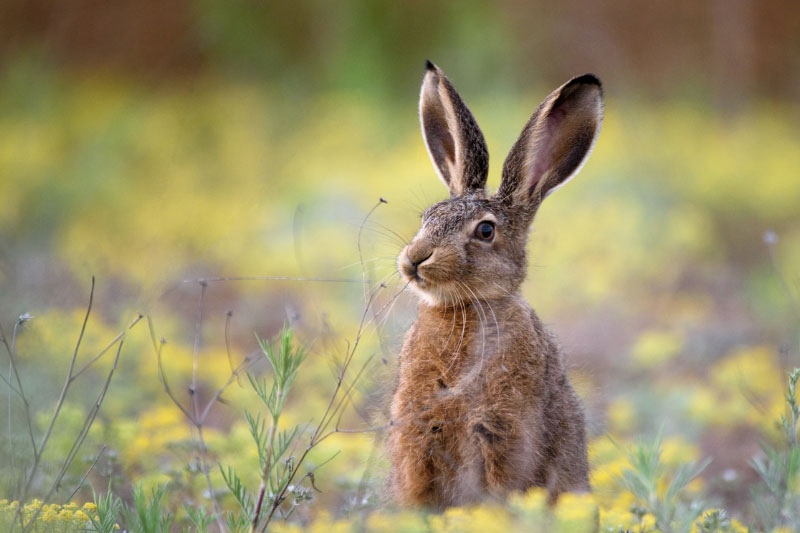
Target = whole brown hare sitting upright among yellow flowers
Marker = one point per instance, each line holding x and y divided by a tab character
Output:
483	405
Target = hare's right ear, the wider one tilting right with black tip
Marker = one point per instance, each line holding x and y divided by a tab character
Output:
555	142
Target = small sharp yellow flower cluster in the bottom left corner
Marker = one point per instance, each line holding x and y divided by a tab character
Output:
50	518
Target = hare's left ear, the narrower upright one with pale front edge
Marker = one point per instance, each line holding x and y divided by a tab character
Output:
453	138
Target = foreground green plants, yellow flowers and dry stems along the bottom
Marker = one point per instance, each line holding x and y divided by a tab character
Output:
639	487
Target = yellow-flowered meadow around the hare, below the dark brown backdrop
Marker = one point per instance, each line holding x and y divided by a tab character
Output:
201	219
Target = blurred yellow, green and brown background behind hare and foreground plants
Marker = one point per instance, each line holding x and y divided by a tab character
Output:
148	143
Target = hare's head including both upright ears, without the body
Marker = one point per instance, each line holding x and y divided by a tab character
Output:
473	244
